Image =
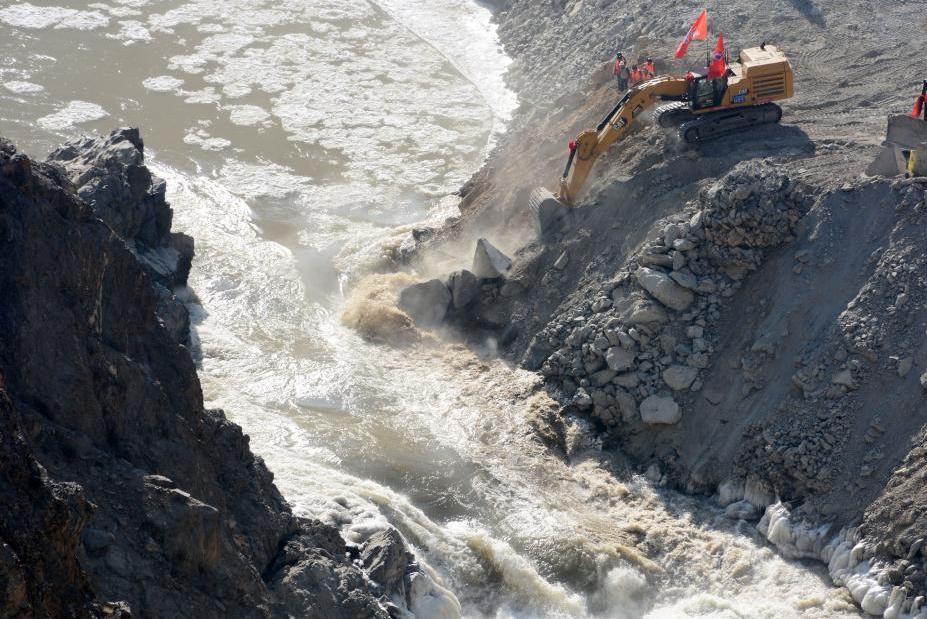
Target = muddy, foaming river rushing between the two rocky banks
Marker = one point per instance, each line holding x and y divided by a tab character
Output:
299	140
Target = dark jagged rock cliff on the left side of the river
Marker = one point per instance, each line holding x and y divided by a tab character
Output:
117	484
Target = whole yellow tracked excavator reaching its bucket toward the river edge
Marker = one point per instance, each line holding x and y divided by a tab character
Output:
701	108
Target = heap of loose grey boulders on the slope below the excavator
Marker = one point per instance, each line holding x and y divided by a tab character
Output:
649	332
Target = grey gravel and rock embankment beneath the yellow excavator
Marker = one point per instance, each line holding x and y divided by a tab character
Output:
745	318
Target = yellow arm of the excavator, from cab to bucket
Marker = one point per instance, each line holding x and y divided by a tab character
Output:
592	143
